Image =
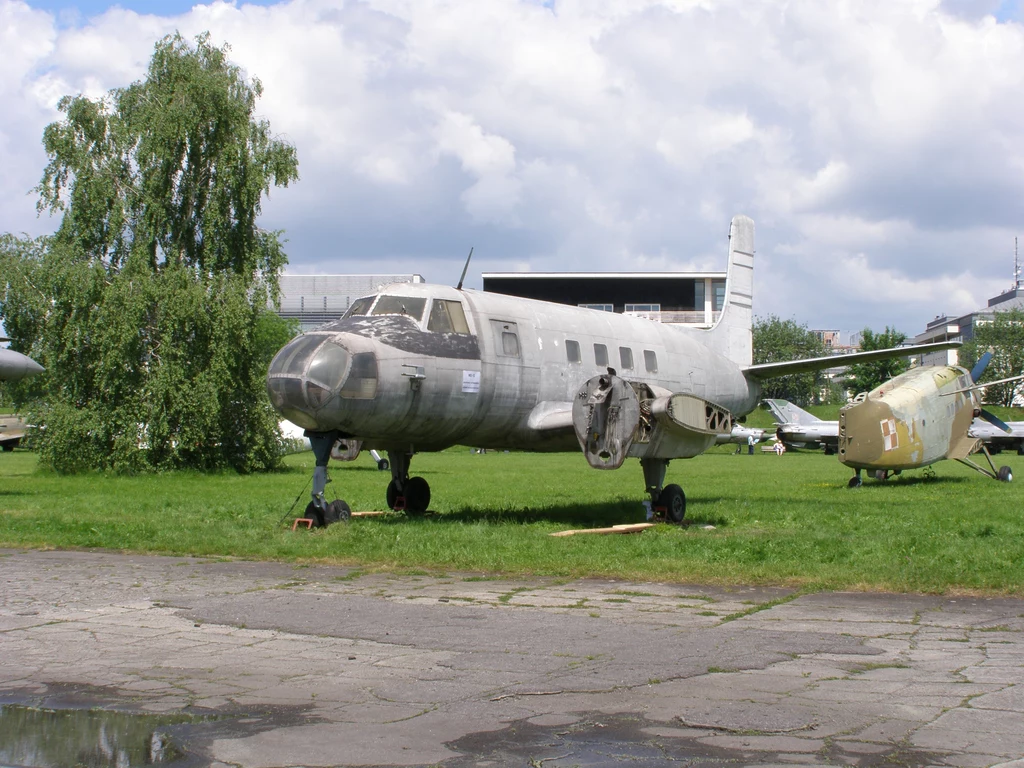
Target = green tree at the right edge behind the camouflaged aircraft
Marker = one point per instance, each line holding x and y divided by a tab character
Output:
1005	337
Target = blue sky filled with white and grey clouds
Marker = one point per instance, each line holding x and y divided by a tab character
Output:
878	145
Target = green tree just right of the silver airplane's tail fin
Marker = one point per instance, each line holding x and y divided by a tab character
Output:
777	340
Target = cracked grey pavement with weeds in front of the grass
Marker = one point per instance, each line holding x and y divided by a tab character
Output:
319	666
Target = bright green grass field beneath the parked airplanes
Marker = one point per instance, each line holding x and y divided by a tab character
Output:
788	521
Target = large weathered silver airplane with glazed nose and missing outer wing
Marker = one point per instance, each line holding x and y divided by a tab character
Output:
421	367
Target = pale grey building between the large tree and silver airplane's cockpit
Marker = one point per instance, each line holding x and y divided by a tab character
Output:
316	300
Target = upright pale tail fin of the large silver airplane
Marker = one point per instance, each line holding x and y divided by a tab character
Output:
733	335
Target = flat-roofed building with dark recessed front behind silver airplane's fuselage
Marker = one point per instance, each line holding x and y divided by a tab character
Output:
691	298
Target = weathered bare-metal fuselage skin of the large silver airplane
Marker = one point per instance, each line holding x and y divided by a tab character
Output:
439	390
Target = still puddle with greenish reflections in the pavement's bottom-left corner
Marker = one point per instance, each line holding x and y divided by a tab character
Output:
37	738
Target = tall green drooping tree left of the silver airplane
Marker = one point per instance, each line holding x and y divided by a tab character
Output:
150	306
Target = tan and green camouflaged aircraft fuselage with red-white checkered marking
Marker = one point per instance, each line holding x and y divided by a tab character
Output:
917	419
